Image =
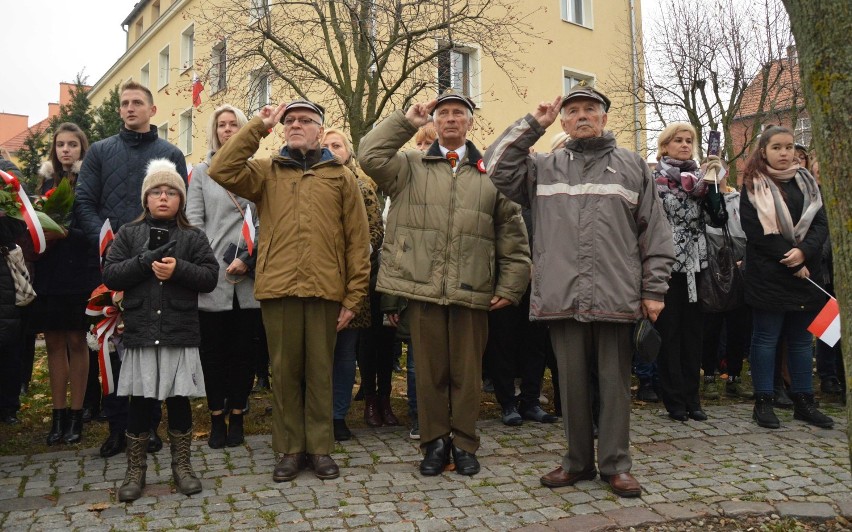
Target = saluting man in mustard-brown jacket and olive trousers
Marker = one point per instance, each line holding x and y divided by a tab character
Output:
312	274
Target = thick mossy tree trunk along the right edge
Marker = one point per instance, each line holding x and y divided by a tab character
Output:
822	29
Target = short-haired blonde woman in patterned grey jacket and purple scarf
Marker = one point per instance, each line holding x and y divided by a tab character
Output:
683	193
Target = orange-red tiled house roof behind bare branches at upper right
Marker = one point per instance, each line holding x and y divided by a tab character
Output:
784	87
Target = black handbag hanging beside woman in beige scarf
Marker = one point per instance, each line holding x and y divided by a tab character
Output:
721	286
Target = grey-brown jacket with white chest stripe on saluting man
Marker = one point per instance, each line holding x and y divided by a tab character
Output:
602	242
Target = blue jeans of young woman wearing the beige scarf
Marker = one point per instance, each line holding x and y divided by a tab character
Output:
769	327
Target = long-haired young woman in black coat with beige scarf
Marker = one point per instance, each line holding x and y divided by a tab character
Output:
785	224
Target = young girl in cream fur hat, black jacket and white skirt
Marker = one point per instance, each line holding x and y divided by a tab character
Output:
161	334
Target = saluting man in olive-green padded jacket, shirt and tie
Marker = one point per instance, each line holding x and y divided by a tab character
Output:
456	248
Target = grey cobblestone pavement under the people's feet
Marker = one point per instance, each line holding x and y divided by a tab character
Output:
725	466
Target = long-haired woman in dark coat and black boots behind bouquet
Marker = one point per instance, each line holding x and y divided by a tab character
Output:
65	276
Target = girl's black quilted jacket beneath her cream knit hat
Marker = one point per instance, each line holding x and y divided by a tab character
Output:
160	312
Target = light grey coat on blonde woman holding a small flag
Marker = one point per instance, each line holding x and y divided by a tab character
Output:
209	207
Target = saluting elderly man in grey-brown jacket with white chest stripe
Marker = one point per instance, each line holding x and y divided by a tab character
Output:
601	260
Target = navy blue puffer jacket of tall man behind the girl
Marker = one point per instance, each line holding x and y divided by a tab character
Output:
110	181
